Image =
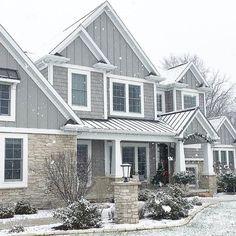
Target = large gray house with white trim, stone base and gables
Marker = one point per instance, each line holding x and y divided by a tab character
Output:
99	94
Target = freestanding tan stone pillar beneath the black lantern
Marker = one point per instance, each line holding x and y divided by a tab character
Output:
126	202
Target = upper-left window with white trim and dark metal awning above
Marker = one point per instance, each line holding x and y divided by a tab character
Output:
8	80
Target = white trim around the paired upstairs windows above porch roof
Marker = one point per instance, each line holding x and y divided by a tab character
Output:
126	113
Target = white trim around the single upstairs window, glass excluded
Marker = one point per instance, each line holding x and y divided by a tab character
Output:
75	107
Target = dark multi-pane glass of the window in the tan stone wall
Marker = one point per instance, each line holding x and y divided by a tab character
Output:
13	159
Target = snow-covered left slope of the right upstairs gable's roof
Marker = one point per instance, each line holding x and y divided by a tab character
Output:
173	74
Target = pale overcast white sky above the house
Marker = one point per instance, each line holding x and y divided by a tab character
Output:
162	27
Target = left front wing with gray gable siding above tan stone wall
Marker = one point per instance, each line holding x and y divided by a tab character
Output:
31	116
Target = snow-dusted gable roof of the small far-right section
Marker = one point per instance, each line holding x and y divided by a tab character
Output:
217	123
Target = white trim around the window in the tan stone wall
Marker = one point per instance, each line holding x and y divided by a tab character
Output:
14	184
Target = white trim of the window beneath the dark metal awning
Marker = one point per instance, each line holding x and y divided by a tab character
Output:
12	116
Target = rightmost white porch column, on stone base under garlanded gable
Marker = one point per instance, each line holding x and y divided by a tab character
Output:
208	160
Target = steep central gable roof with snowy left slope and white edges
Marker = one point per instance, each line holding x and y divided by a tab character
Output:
69	34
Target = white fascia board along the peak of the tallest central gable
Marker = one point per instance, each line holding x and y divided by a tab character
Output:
124	31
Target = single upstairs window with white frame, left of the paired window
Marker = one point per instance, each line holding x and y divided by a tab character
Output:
79	90
